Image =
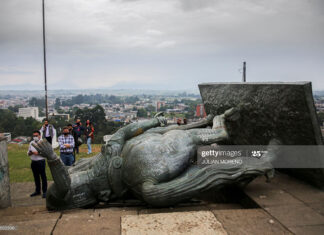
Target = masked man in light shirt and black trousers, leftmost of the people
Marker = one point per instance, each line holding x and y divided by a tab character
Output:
38	165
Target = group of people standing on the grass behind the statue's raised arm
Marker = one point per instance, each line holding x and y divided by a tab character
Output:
69	142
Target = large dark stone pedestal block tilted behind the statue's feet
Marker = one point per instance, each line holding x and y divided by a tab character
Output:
269	110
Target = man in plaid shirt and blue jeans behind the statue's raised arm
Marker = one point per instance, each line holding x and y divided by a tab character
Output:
66	143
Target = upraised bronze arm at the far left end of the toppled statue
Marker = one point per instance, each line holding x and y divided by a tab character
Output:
59	172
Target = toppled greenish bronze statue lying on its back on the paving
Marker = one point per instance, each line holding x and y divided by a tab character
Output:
153	161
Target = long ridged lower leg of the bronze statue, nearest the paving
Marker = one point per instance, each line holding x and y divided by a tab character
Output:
199	178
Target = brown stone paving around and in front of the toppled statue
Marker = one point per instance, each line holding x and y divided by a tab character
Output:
284	206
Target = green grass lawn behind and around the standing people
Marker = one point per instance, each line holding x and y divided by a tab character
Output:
19	161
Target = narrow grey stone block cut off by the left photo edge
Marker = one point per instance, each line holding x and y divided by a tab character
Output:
4	175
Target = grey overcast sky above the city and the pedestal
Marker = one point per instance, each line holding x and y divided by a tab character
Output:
160	44
